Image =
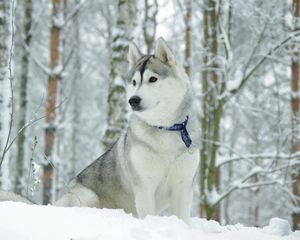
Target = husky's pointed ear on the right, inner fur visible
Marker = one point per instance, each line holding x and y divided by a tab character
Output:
163	52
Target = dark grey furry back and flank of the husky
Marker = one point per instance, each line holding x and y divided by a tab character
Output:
105	177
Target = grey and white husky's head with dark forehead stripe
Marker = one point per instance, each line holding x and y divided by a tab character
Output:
156	85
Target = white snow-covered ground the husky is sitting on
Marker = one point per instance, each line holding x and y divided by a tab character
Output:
19	221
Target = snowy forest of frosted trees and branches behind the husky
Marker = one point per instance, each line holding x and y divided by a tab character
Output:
62	95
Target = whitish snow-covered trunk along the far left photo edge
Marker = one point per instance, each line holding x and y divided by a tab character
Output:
5	91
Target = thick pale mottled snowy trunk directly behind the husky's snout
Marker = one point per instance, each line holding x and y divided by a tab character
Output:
117	104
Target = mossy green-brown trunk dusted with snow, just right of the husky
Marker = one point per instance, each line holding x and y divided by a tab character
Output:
212	108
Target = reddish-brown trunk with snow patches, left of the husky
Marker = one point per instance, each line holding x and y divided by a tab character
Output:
57	6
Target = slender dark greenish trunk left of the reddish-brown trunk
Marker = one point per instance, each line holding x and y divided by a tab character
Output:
23	96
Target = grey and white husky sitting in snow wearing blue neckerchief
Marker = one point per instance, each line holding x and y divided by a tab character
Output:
153	164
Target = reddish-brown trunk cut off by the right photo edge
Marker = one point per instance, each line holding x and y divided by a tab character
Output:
295	104
